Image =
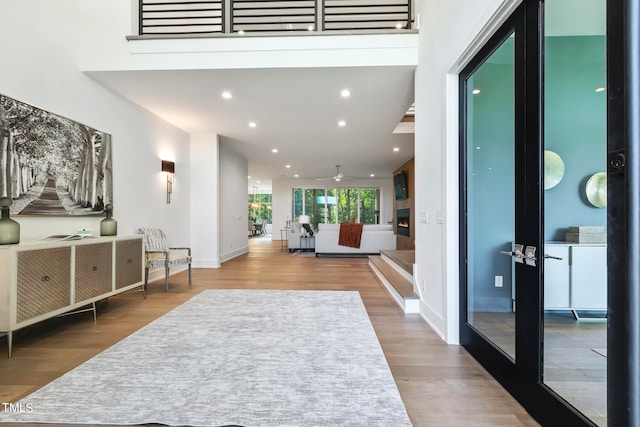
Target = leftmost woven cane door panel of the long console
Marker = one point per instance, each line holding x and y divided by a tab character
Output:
43	283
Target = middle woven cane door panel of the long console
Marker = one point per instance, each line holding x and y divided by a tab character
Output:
94	275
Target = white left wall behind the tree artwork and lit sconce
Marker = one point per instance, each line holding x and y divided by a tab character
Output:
41	43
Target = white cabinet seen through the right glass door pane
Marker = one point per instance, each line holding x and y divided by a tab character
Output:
578	281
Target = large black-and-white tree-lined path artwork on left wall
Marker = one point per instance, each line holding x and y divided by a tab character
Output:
51	165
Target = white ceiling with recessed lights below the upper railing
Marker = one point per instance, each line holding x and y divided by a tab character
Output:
296	110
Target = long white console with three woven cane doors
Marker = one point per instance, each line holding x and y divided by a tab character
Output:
44	279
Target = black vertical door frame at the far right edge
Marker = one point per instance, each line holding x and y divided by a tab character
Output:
623	219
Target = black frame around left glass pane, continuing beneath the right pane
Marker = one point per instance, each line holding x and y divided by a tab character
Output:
523	378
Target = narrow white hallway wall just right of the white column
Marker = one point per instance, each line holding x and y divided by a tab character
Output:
234	239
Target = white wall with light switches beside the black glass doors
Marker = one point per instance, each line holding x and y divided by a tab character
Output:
450	33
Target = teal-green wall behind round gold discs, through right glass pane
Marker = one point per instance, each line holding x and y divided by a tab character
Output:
575	128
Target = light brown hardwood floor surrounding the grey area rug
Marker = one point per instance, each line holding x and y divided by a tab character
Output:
441	385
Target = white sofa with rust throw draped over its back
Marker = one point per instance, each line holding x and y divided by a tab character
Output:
375	237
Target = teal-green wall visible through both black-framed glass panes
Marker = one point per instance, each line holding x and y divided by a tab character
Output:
575	128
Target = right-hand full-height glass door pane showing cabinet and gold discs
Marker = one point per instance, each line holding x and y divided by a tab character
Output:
575	143
